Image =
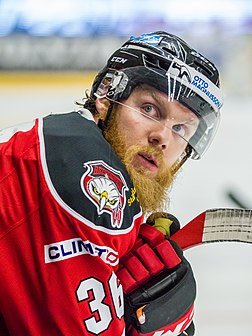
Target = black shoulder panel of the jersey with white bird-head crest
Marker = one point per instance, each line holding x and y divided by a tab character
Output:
86	173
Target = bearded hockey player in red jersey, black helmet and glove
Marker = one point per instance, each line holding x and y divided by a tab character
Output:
74	189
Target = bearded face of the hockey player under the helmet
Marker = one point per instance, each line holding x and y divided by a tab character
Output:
150	147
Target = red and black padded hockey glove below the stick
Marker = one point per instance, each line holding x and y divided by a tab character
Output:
159	286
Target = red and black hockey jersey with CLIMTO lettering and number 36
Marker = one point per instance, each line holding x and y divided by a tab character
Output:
68	212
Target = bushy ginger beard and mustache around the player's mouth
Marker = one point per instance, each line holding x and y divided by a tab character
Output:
152	191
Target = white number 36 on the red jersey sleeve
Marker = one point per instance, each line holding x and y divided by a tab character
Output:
97	305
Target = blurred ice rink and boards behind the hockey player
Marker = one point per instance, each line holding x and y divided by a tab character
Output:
50	51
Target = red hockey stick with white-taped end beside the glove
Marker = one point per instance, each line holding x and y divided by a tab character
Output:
216	225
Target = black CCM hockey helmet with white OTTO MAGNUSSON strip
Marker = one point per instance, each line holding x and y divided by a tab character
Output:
169	64
